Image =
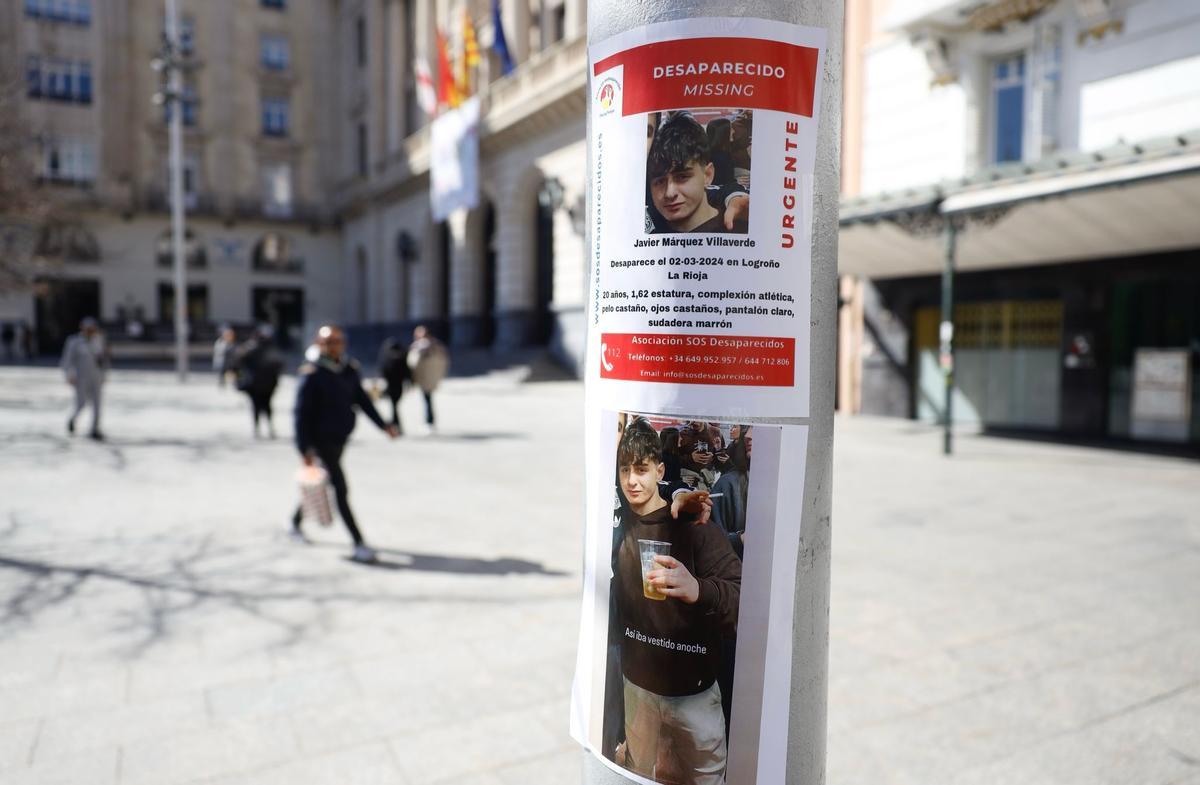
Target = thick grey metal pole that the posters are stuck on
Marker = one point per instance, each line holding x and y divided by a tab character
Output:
811	632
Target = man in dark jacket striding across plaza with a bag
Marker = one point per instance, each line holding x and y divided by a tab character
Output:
329	391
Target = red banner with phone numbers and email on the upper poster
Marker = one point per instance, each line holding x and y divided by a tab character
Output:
699	359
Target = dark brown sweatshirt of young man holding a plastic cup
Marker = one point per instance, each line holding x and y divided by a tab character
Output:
668	646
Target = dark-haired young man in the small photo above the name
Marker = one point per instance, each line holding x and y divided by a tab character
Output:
682	194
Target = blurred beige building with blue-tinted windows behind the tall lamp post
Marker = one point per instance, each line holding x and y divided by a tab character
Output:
260	155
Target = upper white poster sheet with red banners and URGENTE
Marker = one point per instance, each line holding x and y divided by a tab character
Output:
704	137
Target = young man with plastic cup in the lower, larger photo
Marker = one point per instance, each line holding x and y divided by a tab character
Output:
677	588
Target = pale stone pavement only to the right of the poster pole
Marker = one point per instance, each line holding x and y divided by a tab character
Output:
1022	614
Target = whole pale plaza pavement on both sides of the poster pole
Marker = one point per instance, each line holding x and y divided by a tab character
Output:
1022	614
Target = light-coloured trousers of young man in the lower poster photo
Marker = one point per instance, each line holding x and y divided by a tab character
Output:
693	727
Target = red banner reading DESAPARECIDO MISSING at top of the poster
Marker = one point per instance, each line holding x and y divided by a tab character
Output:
751	74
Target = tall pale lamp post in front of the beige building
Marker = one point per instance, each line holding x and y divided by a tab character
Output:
175	101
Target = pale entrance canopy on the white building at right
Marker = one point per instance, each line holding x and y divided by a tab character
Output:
1125	201
